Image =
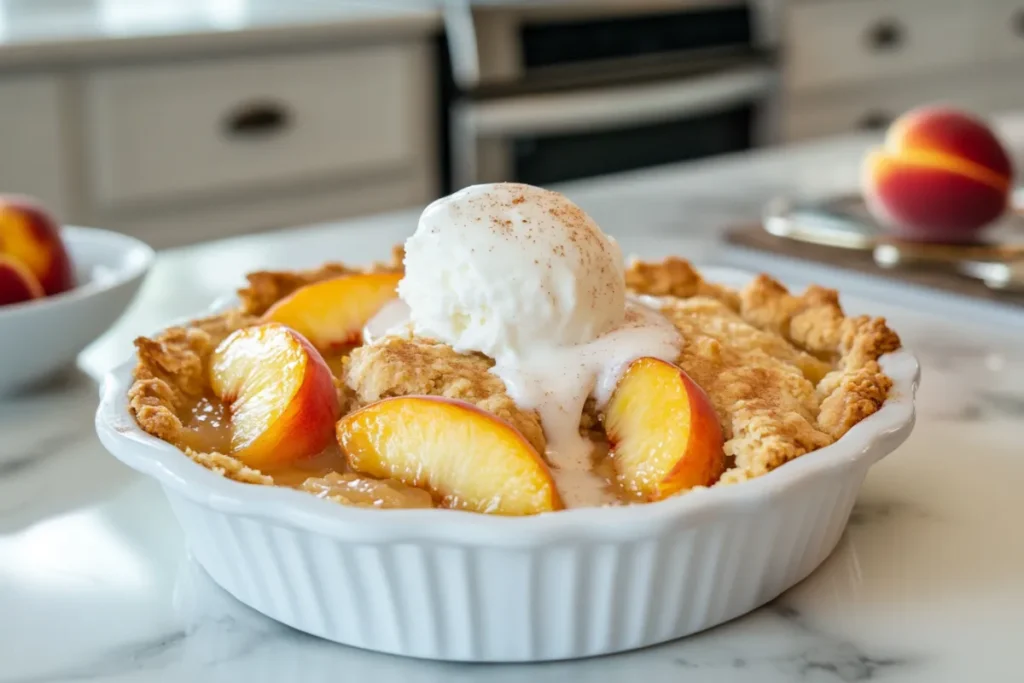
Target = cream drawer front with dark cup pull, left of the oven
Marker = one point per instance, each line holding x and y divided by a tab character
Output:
163	133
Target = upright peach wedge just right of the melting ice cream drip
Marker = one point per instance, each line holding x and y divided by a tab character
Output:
663	431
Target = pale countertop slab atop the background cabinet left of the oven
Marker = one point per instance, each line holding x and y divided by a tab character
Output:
36	33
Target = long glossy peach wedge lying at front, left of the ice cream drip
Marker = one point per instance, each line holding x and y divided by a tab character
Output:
471	459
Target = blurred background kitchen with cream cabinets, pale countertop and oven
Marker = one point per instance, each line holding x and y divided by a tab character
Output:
180	121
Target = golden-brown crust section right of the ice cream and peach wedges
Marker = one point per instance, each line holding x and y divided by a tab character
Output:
771	416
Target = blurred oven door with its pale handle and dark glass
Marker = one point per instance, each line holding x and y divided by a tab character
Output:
544	134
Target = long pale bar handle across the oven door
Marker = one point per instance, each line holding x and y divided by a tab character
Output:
621	106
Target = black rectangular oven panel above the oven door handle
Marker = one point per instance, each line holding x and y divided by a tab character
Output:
553	44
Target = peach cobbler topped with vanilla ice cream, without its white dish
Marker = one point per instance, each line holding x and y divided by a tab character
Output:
508	362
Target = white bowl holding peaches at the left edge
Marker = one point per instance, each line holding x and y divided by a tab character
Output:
38	338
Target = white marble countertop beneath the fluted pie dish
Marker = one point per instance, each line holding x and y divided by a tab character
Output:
926	587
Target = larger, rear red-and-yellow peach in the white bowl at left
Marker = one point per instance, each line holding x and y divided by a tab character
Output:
31	236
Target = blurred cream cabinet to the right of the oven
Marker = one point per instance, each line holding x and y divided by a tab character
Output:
858	65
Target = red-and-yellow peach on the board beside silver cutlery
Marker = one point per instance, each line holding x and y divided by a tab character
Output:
942	177
